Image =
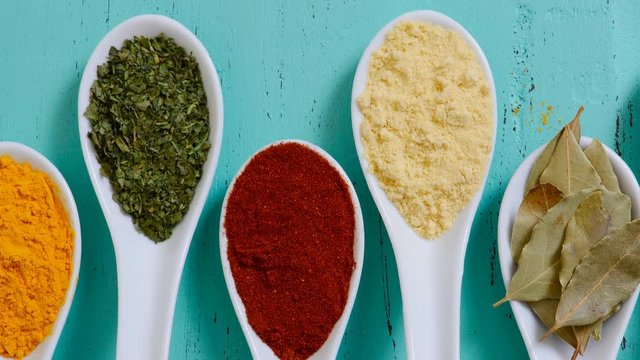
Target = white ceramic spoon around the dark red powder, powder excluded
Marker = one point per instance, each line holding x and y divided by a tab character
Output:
329	350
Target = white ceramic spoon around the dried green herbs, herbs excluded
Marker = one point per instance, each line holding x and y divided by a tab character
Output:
149	273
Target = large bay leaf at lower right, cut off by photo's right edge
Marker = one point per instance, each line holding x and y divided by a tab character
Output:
606	276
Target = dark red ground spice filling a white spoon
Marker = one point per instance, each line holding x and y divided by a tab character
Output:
290	224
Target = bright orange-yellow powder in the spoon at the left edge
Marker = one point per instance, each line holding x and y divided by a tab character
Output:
36	244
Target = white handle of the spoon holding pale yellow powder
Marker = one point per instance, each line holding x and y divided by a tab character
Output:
430	274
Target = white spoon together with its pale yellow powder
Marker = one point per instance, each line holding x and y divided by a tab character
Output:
424	129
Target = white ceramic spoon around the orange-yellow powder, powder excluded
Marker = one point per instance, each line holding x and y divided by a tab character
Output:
21	153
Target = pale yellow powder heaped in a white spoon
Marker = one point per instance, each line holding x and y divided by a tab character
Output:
428	124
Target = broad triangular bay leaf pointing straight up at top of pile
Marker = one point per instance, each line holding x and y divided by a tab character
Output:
569	169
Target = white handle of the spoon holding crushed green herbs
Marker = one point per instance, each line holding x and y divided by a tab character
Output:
148	280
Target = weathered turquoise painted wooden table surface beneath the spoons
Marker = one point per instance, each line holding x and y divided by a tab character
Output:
286	69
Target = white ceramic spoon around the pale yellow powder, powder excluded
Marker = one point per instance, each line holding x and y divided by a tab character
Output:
430	271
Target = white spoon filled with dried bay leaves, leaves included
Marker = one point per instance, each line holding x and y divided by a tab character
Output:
559	243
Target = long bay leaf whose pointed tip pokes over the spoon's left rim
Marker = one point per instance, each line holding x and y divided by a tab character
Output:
537	275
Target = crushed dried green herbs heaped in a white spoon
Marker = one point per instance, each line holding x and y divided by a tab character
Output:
150	129
